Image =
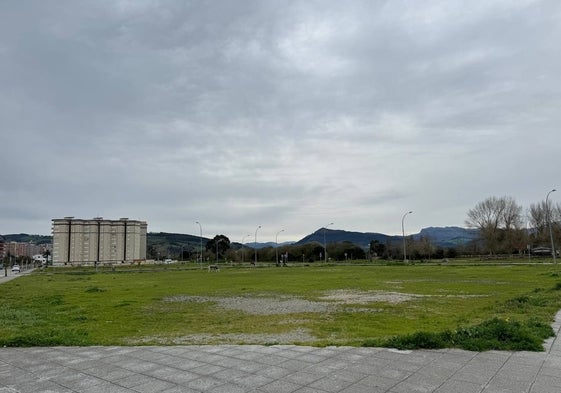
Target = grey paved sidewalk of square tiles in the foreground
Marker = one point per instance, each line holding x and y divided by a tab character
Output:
283	368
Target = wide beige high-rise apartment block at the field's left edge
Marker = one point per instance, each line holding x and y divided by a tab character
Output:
97	240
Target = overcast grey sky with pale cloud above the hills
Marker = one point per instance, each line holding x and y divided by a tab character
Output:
285	114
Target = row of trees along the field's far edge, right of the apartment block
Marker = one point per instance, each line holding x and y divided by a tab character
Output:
504	227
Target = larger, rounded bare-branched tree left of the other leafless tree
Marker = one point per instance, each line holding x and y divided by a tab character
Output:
496	219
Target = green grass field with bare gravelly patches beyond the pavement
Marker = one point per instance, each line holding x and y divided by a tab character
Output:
510	306
